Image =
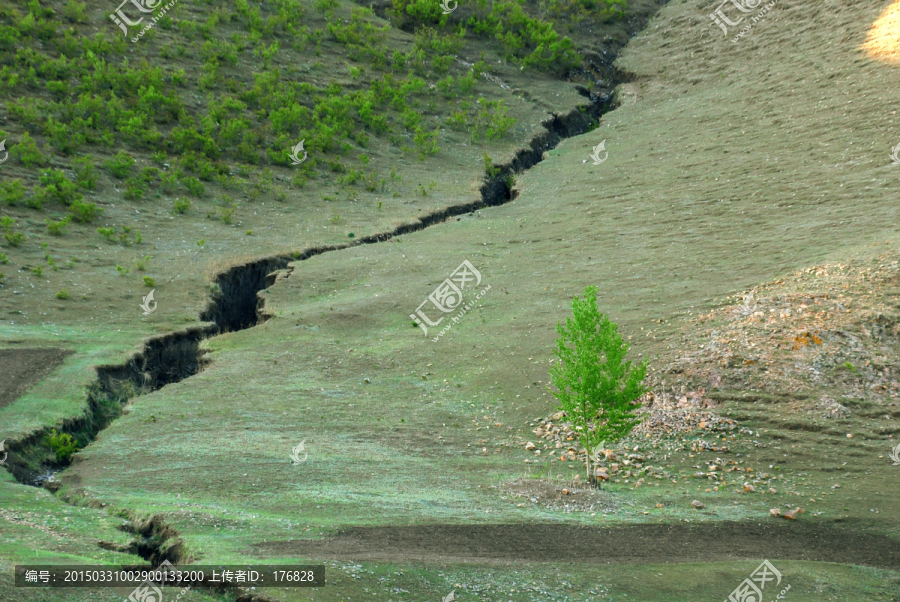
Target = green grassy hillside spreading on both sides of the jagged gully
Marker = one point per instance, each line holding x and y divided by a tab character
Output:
731	164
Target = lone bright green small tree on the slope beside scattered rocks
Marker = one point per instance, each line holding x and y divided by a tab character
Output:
596	384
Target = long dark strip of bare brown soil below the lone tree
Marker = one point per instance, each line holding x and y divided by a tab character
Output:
643	544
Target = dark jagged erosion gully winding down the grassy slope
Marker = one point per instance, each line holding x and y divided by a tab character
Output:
236	306
